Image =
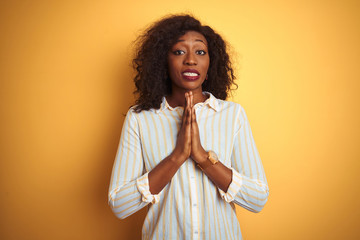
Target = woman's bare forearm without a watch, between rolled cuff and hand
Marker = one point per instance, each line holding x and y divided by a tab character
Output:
161	175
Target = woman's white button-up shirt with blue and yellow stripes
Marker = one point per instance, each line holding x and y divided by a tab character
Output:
190	206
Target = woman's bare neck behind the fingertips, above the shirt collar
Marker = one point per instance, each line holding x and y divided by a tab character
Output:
177	98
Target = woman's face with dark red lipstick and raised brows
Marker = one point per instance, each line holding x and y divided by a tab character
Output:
188	62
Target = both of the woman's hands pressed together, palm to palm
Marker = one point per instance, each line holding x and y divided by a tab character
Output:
188	142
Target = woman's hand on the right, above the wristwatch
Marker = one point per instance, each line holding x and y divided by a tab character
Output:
198	154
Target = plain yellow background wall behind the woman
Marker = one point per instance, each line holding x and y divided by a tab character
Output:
66	83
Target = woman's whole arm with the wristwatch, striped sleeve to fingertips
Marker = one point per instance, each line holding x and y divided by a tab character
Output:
245	182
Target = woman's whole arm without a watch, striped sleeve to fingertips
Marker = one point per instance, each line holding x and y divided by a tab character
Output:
130	189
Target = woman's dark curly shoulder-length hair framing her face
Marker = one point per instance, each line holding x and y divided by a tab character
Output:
152	79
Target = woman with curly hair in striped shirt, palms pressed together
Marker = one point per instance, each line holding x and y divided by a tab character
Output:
184	151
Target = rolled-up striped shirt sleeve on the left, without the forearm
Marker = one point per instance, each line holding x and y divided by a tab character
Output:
124	196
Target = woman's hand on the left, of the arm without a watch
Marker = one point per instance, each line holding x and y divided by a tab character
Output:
182	149
